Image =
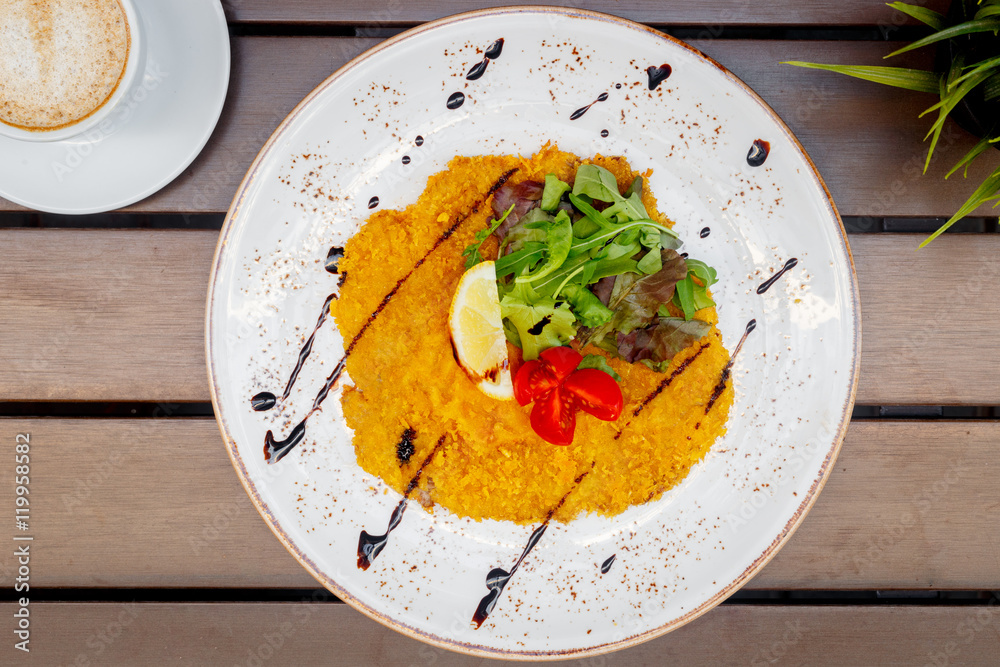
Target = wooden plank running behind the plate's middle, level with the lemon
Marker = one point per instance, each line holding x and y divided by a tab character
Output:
76	326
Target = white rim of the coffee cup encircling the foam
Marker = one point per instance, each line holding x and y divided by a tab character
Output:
103	109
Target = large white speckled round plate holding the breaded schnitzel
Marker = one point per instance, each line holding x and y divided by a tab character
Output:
309	190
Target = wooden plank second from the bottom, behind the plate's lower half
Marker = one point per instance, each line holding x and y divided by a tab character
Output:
908	506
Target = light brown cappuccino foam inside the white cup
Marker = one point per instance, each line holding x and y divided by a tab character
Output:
60	60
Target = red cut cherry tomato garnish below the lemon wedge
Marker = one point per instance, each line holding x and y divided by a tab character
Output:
560	383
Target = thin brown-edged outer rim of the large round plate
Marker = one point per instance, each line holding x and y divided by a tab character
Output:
479	650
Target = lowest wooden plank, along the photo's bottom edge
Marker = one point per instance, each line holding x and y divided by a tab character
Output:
306	633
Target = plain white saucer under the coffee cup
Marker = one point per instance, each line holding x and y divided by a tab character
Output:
152	136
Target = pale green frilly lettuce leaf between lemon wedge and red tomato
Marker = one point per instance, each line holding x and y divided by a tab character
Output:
541	322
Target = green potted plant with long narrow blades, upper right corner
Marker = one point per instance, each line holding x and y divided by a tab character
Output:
966	81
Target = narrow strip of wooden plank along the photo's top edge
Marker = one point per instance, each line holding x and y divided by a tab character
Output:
711	15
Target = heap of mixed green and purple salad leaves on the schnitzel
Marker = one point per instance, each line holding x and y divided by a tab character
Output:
585	263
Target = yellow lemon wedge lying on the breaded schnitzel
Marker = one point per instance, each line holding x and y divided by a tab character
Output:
477	331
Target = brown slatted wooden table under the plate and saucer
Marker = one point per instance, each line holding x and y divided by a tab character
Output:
146	550
